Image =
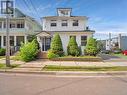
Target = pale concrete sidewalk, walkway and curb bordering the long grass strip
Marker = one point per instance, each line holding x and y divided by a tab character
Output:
37	66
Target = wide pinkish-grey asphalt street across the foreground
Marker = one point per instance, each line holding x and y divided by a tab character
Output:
30	84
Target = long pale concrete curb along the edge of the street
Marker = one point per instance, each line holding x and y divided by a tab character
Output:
68	73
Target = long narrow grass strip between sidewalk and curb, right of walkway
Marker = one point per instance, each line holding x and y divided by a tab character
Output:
83	68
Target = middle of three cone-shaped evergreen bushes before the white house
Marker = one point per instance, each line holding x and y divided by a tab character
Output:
73	48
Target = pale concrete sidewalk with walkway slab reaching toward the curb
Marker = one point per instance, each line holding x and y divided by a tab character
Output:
37	65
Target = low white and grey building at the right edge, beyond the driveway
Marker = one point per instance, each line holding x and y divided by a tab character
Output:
117	42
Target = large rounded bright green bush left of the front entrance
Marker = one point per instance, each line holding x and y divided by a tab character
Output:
29	51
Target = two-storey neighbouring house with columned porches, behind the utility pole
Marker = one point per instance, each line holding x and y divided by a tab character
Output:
21	26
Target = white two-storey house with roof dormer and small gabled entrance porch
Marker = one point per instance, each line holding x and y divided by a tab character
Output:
66	25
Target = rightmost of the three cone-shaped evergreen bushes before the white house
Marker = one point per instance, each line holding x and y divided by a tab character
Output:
91	47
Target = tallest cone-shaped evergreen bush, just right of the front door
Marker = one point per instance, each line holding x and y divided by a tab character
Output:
56	45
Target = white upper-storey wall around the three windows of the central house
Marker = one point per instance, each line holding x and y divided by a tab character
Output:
70	27
